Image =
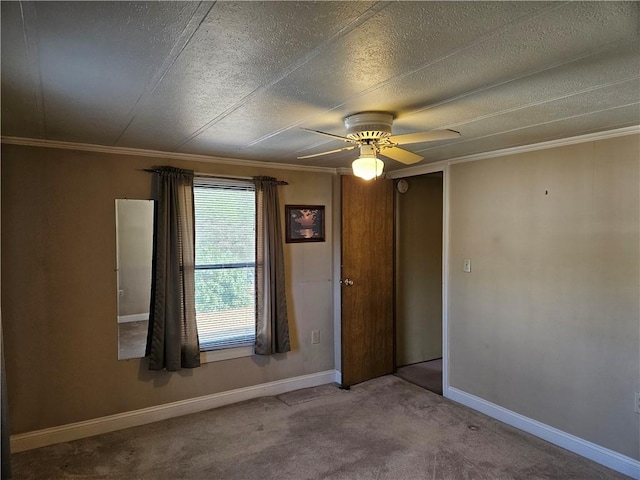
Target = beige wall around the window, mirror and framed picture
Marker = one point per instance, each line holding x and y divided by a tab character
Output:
59	290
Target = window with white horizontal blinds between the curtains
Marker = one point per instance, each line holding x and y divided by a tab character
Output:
225	222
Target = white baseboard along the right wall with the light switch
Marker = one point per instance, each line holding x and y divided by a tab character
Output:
598	454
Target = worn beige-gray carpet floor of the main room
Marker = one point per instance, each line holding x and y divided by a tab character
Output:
384	429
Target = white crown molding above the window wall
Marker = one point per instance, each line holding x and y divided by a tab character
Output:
87	147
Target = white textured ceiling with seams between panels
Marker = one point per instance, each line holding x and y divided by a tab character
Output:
239	79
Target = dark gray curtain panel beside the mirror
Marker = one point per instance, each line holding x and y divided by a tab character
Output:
172	340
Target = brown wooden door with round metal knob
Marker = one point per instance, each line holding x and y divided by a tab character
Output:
367	279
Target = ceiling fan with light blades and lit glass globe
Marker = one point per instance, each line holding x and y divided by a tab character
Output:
371	133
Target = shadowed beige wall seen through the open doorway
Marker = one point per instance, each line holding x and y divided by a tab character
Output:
419	270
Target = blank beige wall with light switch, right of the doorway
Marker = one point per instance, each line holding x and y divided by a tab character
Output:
547	324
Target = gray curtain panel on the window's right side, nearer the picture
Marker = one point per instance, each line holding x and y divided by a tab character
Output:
272	325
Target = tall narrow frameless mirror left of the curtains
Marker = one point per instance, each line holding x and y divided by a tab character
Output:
134	245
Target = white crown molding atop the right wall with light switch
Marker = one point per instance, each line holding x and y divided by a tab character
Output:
439	166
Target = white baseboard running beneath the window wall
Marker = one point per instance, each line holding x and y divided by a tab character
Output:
88	428
